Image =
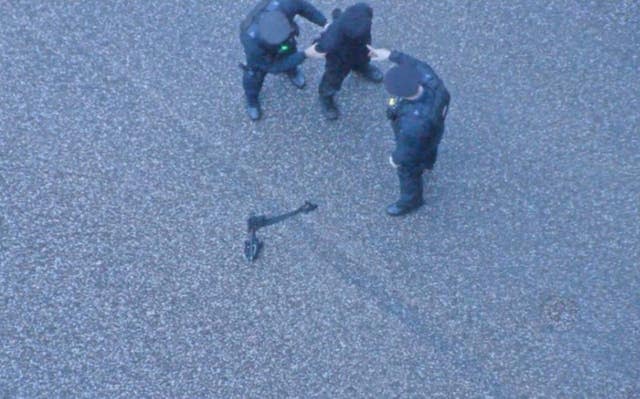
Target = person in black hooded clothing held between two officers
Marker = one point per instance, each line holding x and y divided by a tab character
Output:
344	44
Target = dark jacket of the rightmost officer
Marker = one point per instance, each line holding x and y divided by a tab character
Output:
418	124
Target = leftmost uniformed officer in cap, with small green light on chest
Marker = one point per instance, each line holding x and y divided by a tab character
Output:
268	36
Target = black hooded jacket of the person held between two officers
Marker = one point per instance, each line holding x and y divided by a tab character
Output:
346	39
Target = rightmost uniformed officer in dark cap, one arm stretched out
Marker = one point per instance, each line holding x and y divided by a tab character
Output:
417	111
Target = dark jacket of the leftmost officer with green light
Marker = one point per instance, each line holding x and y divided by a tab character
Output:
267	58
